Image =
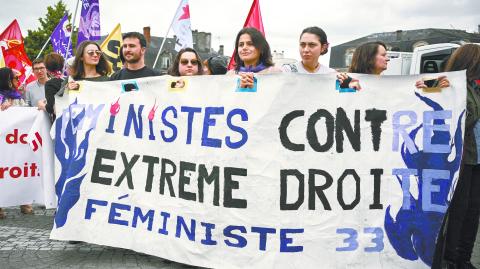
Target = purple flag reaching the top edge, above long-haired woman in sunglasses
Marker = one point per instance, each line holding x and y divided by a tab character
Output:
89	28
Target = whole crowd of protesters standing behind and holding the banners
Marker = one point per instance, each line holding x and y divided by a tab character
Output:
253	56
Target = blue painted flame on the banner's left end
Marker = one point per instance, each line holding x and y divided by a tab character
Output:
71	153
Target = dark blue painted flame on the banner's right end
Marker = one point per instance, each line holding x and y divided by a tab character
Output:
413	231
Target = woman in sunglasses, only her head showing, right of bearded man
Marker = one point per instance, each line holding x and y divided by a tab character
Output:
187	63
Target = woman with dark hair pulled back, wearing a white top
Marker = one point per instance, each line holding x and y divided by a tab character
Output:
313	43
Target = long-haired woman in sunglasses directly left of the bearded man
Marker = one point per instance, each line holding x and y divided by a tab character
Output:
89	64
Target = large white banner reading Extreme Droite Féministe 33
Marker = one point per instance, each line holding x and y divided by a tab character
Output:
294	173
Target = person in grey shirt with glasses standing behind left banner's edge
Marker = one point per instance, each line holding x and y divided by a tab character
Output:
35	93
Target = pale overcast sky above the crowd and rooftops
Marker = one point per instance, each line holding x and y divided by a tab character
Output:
342	20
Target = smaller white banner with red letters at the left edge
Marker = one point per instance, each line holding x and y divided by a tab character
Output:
26	158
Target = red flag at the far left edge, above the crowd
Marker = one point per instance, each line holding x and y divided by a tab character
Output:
15	57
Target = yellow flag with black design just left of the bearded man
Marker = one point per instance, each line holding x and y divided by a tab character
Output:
111	48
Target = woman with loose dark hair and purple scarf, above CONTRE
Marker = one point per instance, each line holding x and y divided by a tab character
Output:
252	56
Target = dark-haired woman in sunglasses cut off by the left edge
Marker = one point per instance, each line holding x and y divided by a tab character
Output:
9	96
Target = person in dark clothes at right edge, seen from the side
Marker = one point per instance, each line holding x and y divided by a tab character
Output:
462	218
